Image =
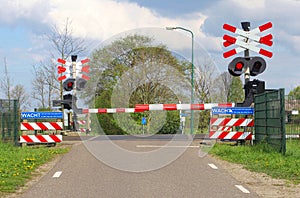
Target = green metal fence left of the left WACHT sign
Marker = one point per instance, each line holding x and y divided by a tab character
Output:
9	120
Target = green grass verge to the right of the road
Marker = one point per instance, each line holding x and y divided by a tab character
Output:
259	158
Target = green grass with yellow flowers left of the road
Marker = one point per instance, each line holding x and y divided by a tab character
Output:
17	163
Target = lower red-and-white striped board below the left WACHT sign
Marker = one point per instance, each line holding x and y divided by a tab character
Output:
40	138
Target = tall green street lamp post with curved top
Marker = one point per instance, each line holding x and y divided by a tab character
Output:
192	73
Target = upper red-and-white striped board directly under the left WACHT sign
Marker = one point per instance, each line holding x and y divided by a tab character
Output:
41	126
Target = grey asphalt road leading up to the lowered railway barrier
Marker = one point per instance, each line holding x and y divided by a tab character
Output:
84	173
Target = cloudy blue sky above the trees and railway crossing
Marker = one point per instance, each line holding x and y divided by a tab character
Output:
24	24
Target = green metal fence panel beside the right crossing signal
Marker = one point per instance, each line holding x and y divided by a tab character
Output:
269	119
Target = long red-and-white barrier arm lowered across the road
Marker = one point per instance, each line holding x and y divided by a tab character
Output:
158	107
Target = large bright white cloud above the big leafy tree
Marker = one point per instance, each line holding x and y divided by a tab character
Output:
105	18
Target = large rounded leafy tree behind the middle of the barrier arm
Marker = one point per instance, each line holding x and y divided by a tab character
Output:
133	66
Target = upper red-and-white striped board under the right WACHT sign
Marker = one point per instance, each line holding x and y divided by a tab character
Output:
232	122
